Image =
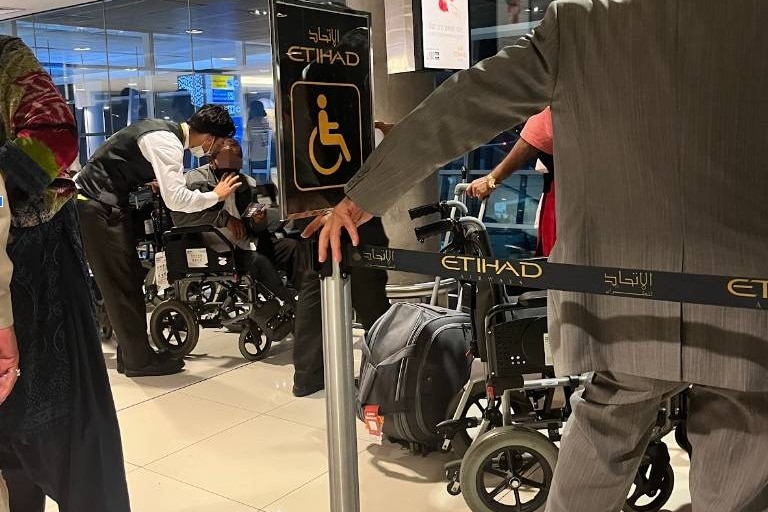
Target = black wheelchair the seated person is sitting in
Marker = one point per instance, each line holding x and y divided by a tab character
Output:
208	290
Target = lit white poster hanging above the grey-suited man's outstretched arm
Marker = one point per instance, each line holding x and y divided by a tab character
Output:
445	34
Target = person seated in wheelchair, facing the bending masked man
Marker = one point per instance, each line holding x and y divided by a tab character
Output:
257	249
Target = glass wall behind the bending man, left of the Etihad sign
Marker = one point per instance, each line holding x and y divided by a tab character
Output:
120	61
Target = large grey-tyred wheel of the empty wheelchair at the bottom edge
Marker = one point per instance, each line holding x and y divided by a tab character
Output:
508	469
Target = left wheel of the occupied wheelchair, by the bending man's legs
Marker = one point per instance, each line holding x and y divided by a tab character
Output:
174	328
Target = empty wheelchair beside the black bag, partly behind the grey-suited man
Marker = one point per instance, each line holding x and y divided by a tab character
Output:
503	427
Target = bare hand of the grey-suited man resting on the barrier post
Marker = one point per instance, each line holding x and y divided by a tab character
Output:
345	215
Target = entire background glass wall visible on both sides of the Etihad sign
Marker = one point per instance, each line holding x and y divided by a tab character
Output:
119	61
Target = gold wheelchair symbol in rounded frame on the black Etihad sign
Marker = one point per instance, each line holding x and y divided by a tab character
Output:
327	136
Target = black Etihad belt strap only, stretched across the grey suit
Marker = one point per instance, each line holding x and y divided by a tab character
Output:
729	291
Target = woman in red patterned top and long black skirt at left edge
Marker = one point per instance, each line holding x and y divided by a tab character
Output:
59	434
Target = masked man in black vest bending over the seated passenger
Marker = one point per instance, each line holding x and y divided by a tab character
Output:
138	154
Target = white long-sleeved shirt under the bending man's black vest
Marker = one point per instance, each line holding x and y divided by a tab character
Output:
165	152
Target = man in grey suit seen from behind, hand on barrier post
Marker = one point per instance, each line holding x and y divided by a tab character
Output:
660	137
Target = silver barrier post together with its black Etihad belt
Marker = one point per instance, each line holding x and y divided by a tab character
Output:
728	291
